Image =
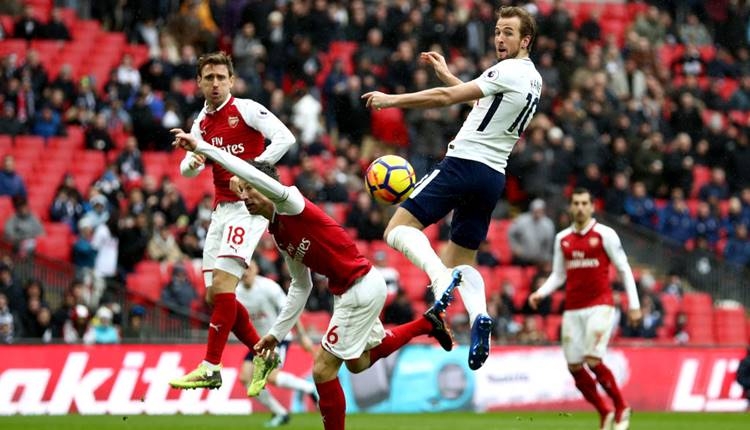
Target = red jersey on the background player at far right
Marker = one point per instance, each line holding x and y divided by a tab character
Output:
586	265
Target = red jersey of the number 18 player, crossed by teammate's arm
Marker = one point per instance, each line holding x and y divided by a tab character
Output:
229	128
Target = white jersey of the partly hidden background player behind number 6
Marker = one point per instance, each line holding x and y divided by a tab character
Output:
263	302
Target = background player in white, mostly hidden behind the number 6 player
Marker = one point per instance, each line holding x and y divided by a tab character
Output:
263	298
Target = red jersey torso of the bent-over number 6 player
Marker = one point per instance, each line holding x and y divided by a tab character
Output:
320	243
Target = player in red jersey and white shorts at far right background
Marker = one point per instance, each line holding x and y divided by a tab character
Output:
582	255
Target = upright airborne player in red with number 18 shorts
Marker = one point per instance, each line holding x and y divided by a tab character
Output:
240	127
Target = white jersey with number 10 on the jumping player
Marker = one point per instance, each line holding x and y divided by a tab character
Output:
511	91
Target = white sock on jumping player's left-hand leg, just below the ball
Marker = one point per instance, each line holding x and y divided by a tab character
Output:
416	247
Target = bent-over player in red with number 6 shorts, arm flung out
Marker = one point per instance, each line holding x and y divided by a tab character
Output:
310	240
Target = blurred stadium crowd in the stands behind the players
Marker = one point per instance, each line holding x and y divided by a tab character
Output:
650	114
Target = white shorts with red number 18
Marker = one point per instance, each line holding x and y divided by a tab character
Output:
231	239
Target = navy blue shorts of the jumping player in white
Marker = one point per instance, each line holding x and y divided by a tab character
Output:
470	188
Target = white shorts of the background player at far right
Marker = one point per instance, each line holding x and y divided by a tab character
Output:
586	332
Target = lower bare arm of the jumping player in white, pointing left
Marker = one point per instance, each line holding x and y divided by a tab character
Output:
433	97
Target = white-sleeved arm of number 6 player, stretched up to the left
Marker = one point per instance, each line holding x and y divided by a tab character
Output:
257	179
